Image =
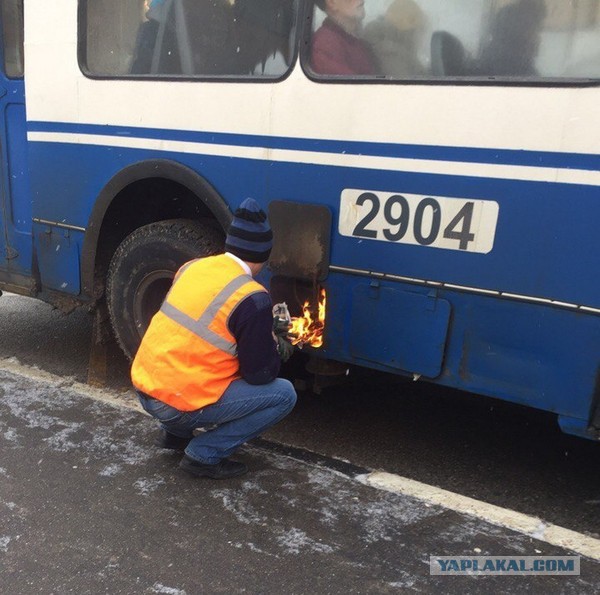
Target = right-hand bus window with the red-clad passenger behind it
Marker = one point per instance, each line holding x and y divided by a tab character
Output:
437	39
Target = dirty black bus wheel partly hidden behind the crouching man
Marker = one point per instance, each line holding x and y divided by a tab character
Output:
142	269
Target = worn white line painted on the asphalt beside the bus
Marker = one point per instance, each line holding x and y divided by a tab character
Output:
504	517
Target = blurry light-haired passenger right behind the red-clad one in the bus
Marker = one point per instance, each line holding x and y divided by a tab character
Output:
394	38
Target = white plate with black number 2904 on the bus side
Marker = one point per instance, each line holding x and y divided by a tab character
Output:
438	222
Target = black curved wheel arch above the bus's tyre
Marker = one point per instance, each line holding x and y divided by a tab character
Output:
165	189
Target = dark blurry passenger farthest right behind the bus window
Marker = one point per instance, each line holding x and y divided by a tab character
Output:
514	40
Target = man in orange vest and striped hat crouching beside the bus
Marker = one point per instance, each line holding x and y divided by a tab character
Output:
211	354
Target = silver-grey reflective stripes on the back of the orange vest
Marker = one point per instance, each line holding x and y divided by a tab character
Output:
200	327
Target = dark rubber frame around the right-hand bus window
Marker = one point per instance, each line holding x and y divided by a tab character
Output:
463	81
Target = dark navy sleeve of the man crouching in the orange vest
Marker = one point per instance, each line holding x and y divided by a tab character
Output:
251	323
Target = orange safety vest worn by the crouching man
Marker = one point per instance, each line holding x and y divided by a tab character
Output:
188	357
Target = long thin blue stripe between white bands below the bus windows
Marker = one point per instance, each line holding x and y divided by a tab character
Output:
581	161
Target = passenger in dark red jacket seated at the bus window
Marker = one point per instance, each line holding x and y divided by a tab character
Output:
336	47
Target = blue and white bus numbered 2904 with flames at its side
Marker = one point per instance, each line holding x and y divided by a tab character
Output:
433	165
